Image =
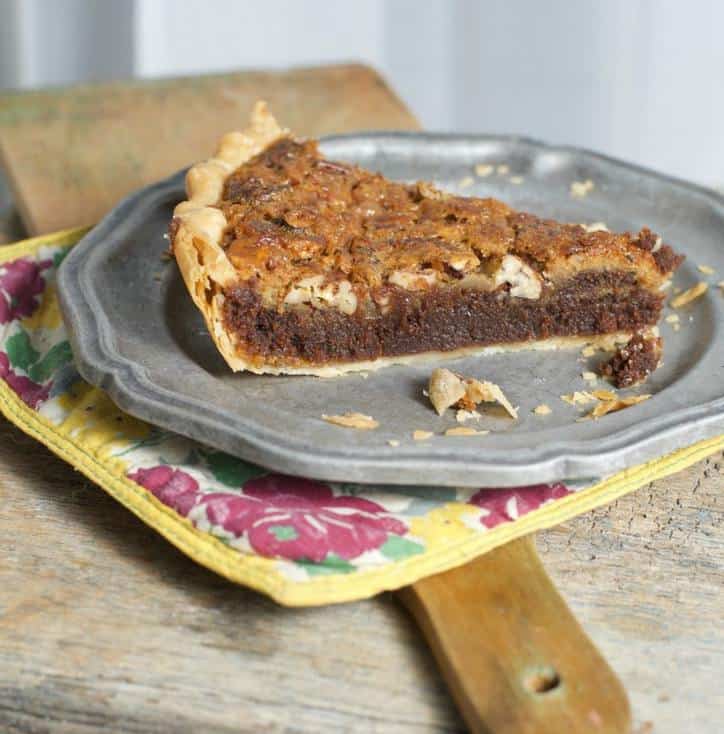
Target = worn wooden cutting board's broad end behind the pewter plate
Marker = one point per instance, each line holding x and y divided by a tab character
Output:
70	154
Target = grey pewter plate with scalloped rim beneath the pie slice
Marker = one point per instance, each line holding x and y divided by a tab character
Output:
136	334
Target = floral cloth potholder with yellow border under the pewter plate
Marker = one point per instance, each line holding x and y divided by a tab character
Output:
301	541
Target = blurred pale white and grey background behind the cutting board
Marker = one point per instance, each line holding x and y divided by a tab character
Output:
638	79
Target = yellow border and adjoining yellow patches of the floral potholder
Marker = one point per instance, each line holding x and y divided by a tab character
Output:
449	534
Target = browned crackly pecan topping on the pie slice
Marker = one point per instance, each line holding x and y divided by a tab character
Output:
292	214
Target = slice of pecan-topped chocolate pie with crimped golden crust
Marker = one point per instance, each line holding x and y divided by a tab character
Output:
308	266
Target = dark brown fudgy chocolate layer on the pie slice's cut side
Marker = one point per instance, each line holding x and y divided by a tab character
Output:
439	319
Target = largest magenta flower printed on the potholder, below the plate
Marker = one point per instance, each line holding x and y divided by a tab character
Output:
301	519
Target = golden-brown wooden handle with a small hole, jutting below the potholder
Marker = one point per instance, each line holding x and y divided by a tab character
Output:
514	656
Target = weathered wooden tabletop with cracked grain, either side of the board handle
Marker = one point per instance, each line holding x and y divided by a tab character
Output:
106	627
